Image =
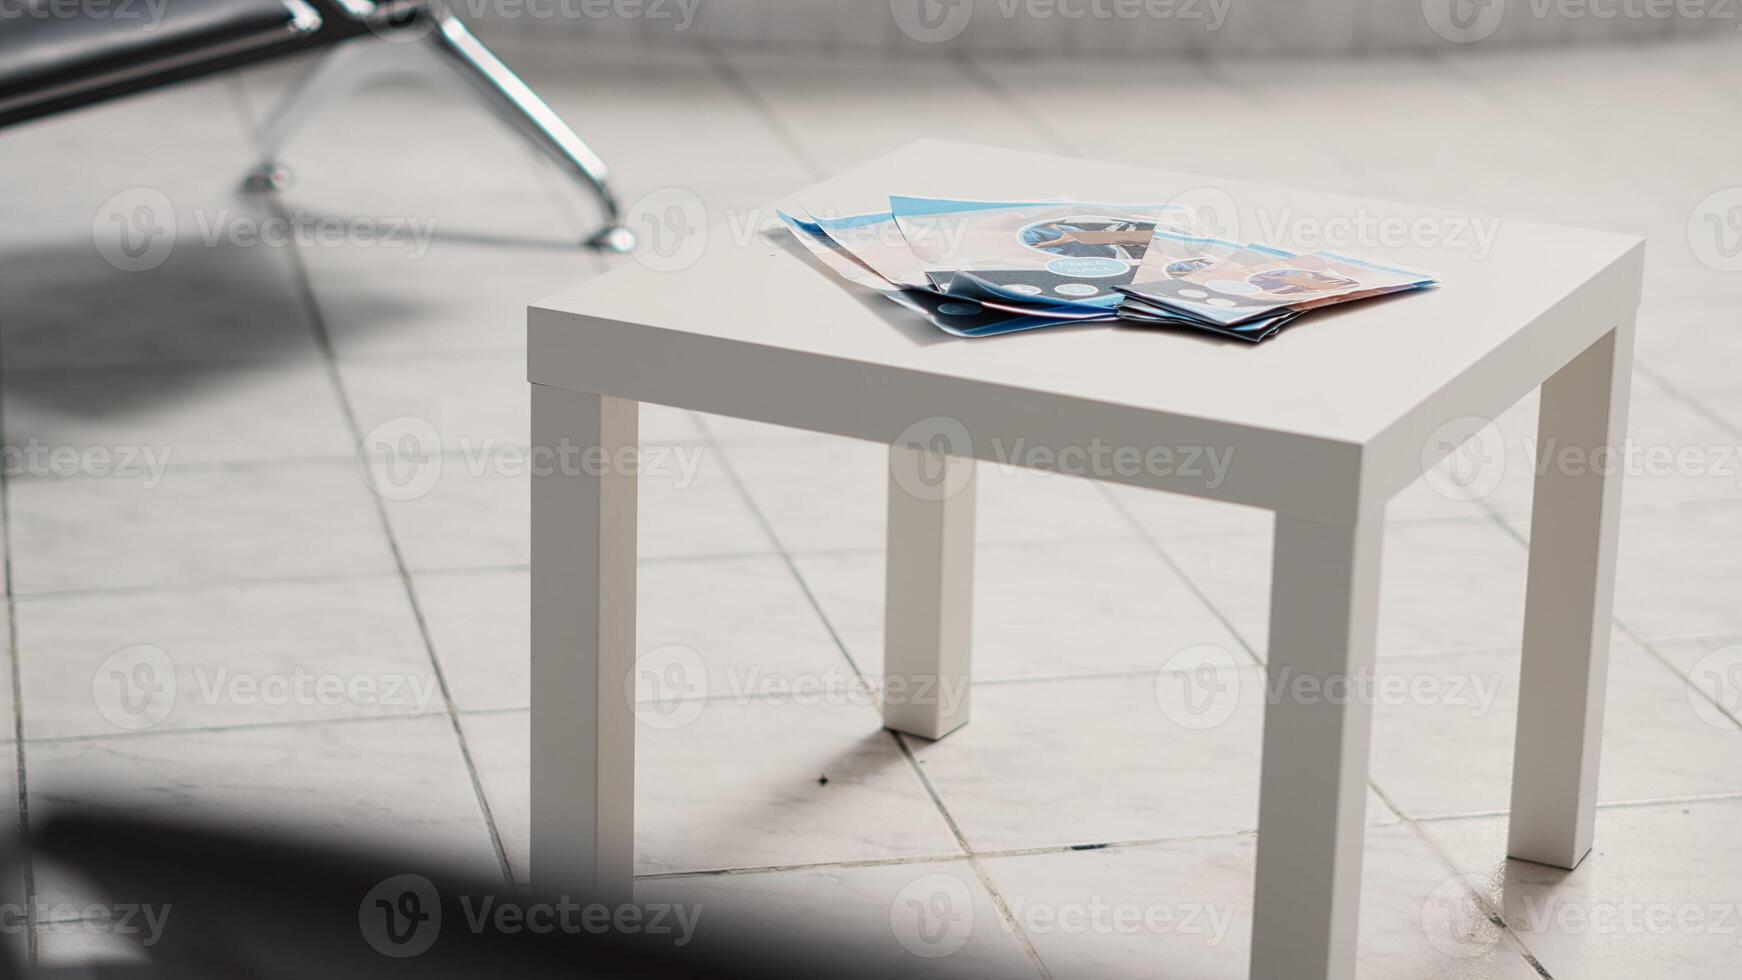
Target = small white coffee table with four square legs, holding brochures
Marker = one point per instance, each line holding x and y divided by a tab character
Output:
1327	424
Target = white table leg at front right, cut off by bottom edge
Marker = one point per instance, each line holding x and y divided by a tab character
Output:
1314	791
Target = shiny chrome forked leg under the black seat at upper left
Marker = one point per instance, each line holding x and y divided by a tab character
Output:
454	57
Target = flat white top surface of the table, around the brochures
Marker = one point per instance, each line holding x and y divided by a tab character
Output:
1342	375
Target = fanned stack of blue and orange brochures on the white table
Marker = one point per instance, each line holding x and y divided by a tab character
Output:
983	269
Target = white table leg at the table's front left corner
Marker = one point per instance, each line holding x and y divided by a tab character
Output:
583	645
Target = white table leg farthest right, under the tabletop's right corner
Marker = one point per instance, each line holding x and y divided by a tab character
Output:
1570	596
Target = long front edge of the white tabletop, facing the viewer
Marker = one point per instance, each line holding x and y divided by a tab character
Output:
1302	474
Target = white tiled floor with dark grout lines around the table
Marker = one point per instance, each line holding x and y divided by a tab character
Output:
260	551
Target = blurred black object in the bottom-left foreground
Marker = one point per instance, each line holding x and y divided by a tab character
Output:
224	906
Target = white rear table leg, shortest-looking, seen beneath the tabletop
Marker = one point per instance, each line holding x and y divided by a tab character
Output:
929	593
